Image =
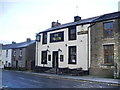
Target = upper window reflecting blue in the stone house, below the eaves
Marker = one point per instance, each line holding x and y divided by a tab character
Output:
108	29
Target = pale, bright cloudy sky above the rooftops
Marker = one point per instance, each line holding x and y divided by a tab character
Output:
21	19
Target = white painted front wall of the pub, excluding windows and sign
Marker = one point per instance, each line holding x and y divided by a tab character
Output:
81	44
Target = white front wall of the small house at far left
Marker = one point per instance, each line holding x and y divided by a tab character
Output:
9	58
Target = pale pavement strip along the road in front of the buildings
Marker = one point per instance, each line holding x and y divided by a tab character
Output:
84	78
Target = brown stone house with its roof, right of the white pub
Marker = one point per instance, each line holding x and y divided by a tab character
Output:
105	45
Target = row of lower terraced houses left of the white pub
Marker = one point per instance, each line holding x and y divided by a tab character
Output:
20	55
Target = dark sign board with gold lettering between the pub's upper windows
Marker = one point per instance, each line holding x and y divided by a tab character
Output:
57	37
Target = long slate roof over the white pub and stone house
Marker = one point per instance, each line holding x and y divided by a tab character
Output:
86	21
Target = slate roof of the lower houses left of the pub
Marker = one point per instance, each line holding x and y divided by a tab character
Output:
18	45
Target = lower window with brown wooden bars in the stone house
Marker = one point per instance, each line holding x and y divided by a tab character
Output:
108	54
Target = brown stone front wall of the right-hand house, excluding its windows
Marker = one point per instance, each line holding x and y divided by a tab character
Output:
97	66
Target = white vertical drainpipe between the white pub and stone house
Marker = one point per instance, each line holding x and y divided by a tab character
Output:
89	45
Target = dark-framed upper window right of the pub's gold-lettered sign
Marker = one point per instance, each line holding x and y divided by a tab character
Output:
72	33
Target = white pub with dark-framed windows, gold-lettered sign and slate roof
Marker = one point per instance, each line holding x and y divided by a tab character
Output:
64	46
